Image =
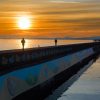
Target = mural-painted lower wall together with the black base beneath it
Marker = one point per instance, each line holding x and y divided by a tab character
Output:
49	73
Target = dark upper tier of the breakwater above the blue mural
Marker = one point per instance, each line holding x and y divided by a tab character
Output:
15	59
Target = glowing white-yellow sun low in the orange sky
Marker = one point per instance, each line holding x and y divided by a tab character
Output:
24	22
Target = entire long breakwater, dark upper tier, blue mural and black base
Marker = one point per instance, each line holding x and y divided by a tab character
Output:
41	70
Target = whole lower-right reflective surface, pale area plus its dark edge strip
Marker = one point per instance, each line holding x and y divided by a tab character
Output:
85	85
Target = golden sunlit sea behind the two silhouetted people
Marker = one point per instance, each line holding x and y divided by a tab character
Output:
7	44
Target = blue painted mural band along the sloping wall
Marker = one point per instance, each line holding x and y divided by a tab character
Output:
19	81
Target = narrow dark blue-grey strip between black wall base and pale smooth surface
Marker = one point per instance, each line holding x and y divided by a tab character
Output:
57	93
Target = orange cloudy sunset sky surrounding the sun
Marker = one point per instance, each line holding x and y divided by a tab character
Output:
50	18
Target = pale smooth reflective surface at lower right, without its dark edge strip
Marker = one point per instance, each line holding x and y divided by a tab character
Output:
87	87
